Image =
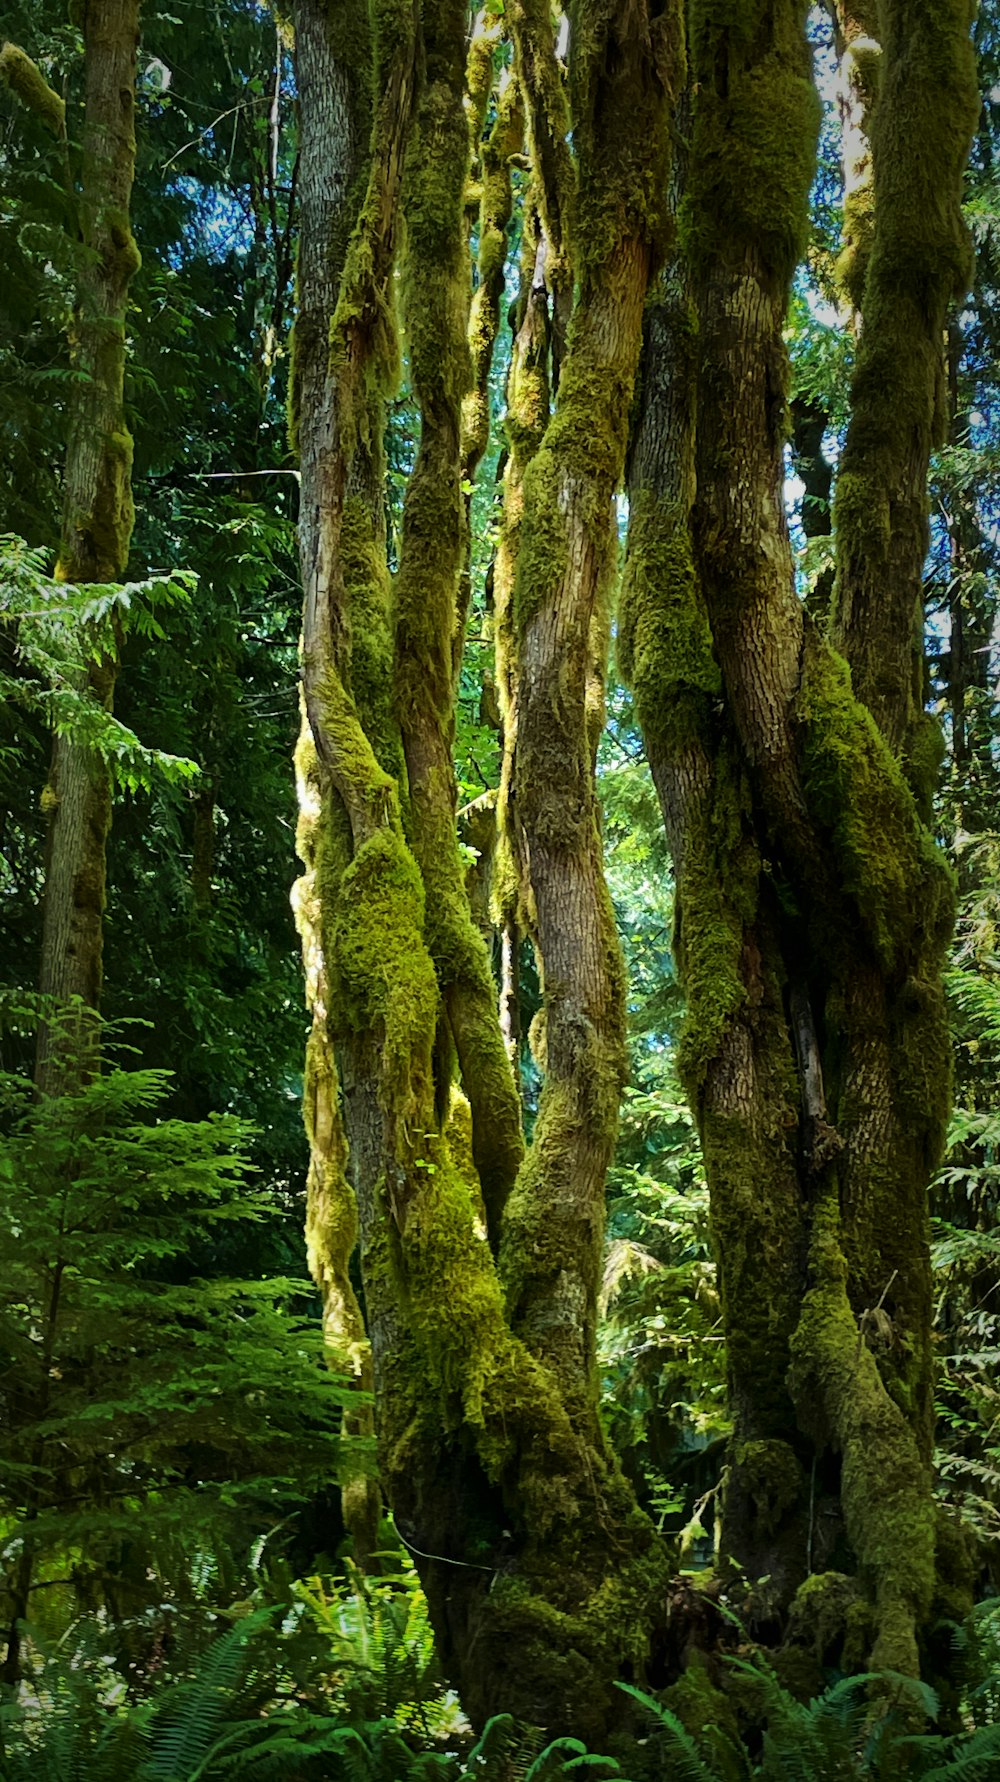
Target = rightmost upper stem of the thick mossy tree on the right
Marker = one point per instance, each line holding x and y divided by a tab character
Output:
921	261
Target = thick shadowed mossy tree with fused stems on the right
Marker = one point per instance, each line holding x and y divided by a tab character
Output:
796	771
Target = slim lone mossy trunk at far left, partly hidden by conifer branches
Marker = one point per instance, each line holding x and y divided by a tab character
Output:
97	527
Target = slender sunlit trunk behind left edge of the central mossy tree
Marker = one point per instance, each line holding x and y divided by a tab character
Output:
336	122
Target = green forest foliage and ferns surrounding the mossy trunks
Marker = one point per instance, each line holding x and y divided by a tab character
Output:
188	1585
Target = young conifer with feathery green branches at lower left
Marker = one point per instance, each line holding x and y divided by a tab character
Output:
147	1403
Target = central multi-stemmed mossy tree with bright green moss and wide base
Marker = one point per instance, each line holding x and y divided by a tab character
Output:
491	1448
